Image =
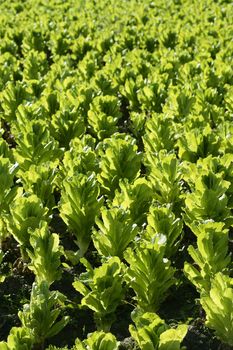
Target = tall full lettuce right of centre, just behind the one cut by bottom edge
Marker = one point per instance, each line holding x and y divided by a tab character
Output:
149	274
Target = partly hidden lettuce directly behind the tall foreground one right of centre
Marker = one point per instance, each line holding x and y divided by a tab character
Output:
162	224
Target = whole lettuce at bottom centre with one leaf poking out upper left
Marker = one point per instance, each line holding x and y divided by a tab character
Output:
102	290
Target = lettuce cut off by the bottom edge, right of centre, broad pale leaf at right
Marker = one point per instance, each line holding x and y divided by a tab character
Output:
152	333
